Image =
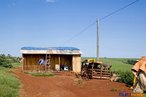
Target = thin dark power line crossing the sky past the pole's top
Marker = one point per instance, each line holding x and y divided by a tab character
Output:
106	16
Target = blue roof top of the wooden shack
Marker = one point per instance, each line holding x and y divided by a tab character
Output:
49	48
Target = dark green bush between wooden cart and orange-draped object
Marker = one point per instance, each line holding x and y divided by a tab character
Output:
126	77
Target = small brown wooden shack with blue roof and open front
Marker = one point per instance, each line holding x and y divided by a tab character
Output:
51	58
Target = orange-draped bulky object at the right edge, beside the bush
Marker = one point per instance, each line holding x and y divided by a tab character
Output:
139	71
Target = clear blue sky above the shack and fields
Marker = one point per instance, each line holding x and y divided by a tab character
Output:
72	23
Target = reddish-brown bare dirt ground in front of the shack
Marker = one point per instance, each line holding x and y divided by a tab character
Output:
67	85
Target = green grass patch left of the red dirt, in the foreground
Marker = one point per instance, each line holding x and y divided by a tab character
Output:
9	84
